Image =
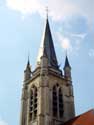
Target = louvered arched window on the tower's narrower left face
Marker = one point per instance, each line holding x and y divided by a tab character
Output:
33	103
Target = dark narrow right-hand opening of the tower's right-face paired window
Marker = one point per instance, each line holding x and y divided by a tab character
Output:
60	103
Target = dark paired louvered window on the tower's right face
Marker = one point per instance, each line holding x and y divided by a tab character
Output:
57	103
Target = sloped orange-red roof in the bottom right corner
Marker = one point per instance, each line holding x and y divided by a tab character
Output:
83	119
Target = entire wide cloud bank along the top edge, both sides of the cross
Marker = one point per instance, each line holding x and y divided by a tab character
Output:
58	9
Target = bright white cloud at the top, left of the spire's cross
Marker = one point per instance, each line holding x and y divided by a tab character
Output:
25	6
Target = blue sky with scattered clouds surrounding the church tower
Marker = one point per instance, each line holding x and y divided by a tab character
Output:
21	27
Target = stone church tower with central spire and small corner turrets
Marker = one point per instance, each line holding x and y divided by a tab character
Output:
47	94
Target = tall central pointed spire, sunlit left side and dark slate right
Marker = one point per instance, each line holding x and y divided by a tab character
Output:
47	47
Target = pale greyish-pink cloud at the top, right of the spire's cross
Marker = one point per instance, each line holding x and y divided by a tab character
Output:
60	9
